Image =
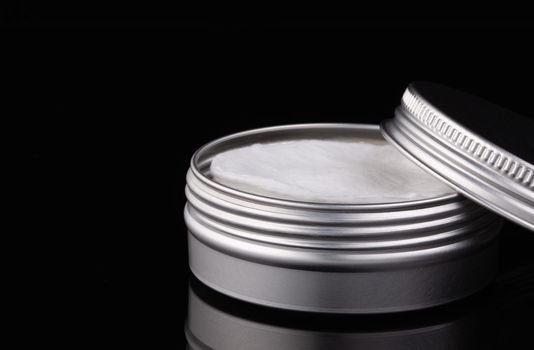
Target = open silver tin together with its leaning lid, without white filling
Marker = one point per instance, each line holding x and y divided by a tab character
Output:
370	258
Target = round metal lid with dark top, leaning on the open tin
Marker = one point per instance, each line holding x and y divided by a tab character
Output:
480	149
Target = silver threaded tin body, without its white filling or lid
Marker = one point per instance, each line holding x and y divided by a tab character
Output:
371	258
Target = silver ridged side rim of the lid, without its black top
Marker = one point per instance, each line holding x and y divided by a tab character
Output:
474	166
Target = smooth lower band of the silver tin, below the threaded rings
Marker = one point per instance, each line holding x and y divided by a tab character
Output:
394	290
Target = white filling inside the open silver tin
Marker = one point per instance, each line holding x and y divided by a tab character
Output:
325	171
